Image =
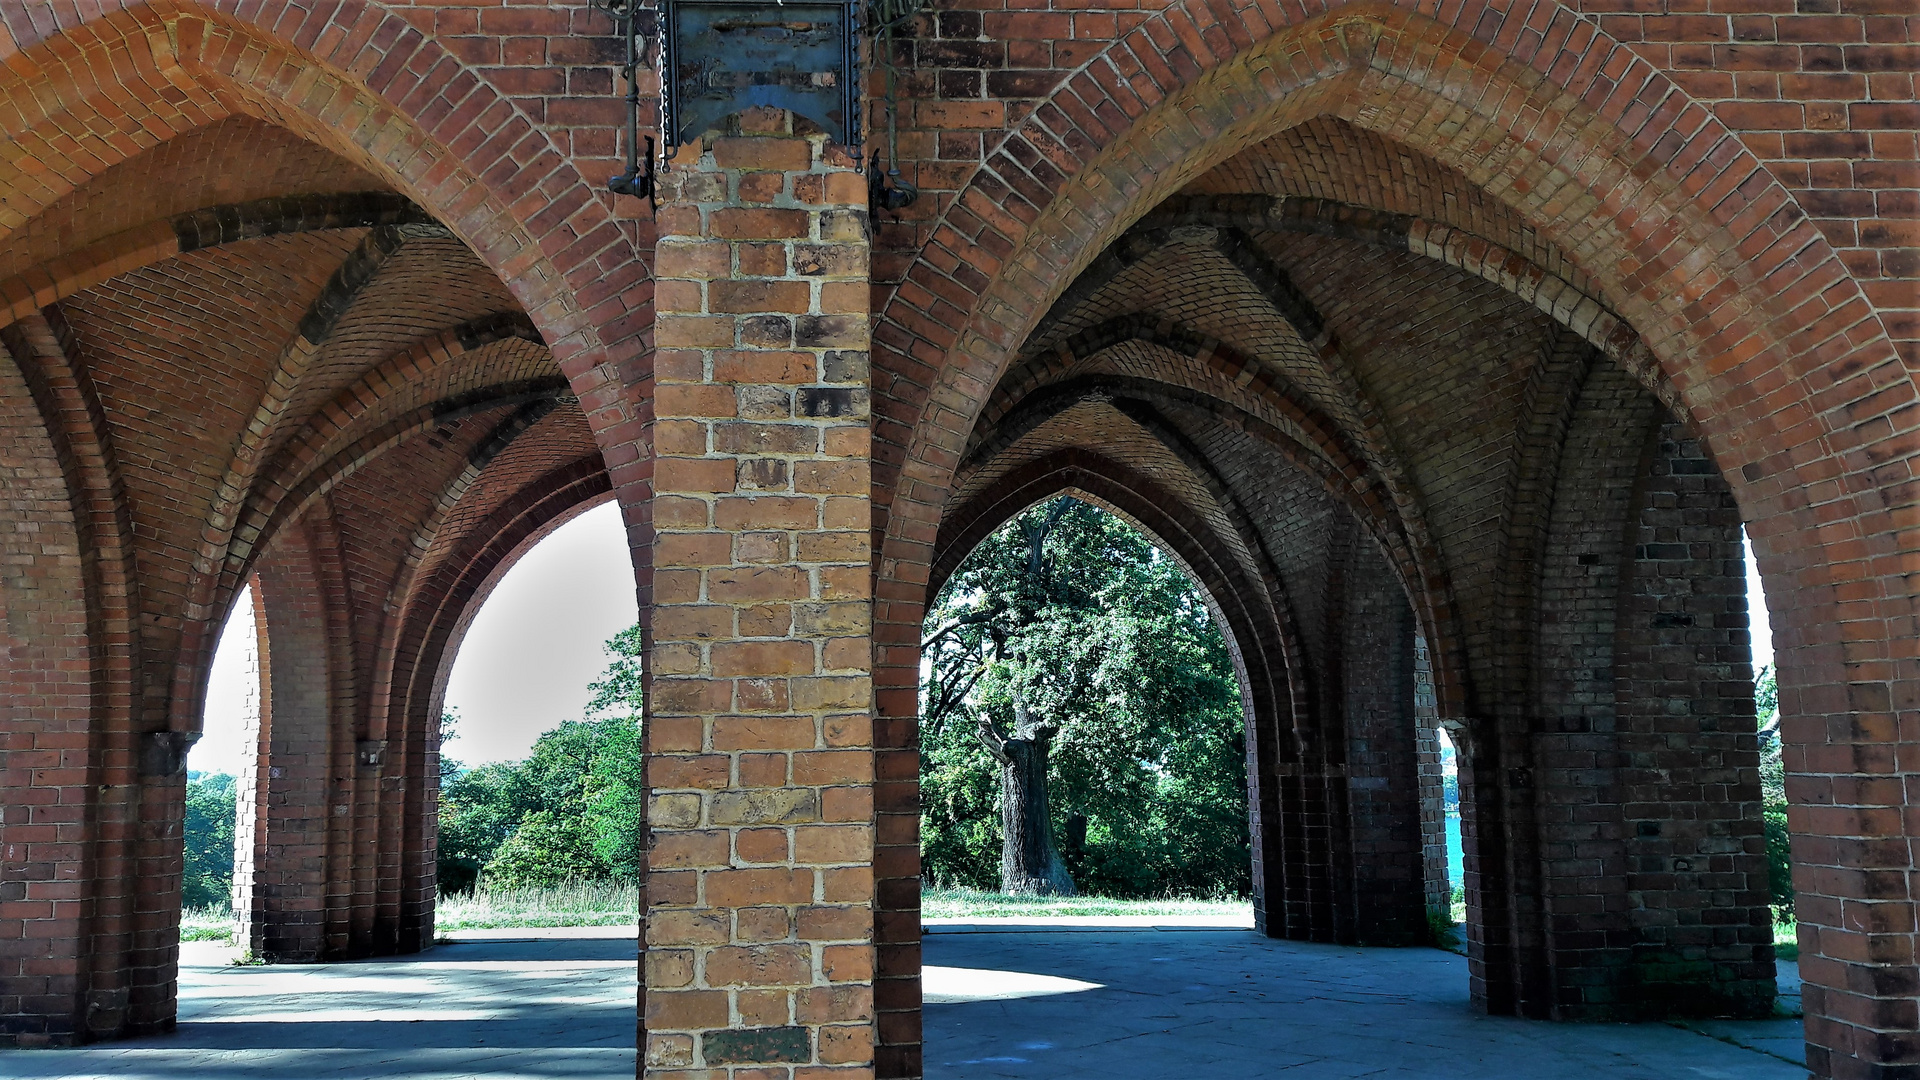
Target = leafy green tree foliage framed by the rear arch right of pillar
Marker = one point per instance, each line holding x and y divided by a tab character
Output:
1103	635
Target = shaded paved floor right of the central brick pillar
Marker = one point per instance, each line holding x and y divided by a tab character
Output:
1199	1004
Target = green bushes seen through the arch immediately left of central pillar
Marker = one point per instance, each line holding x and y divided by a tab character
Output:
571	812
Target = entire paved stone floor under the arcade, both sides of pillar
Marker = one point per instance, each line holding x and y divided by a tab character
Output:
1059	1004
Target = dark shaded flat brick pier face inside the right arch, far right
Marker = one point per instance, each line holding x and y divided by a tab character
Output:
1689	779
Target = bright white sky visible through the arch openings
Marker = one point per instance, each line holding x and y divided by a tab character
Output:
537	645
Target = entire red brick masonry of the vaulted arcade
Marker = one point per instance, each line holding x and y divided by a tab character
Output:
1472	301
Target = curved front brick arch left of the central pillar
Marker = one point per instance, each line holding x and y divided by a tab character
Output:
366	101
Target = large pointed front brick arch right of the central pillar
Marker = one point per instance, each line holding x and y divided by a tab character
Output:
1767	341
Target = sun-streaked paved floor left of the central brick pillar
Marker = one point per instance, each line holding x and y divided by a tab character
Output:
492	1010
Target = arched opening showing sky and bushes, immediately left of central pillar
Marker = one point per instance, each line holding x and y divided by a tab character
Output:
540	768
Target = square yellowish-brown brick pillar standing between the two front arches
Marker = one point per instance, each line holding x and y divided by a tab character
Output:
759	729
